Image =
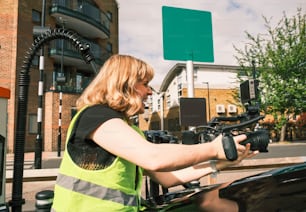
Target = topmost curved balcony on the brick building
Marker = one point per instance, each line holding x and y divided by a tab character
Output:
82	17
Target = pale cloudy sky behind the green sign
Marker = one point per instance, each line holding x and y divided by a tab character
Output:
141	35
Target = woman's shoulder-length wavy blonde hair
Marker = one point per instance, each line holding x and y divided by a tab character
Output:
114	85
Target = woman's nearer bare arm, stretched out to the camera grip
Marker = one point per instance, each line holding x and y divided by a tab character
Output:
117	137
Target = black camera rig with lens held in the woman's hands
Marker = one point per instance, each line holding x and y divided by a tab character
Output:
245	123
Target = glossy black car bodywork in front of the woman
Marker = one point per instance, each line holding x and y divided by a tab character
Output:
281	189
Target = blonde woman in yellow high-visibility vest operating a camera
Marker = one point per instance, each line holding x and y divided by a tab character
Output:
106	156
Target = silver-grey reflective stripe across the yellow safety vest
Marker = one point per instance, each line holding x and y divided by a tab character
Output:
98	191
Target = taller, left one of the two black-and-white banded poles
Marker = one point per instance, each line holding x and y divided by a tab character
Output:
39	139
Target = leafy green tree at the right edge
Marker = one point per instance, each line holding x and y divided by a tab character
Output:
280	57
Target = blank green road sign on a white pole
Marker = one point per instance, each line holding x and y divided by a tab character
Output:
187	35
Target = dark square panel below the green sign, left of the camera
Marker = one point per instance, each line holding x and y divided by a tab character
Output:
193	111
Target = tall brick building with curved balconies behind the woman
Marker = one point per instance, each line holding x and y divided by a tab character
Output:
65	71
